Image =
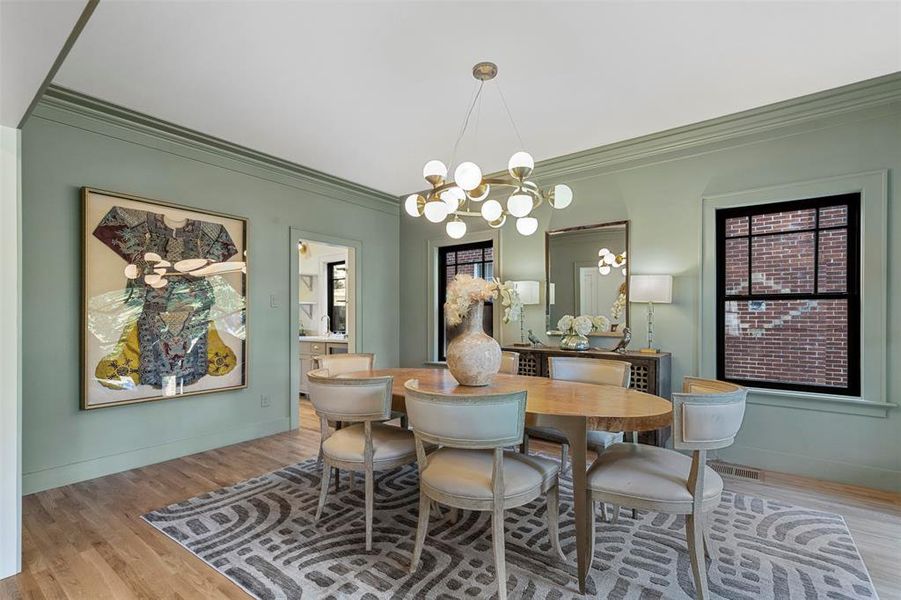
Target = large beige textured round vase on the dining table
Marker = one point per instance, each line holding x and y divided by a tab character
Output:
474	357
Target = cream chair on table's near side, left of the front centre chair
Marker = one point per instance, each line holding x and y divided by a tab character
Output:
366	445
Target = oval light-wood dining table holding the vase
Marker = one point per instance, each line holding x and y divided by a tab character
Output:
572	408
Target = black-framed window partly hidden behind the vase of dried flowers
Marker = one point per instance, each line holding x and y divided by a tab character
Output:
476	259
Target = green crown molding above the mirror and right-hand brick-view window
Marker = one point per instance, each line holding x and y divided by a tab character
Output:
860	96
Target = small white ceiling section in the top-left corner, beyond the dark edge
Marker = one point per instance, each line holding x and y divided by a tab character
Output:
32	34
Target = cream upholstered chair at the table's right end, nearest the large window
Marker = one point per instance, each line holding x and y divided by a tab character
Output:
706	416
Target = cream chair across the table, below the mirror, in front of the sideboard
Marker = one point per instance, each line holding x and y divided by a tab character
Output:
583	370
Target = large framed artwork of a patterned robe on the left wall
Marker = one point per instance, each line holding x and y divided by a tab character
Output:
164	300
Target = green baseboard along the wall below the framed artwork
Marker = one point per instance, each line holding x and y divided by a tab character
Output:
46	479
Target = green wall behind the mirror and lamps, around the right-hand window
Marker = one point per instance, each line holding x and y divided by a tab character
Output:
660	192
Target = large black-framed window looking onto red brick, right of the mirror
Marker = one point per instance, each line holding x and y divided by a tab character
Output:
788	295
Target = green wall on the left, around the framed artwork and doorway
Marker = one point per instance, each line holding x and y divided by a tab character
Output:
65	149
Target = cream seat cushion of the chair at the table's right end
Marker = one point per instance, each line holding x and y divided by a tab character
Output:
649	473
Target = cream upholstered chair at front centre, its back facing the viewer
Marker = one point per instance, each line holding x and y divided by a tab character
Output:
471	470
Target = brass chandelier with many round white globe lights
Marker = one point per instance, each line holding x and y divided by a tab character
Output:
492	198
